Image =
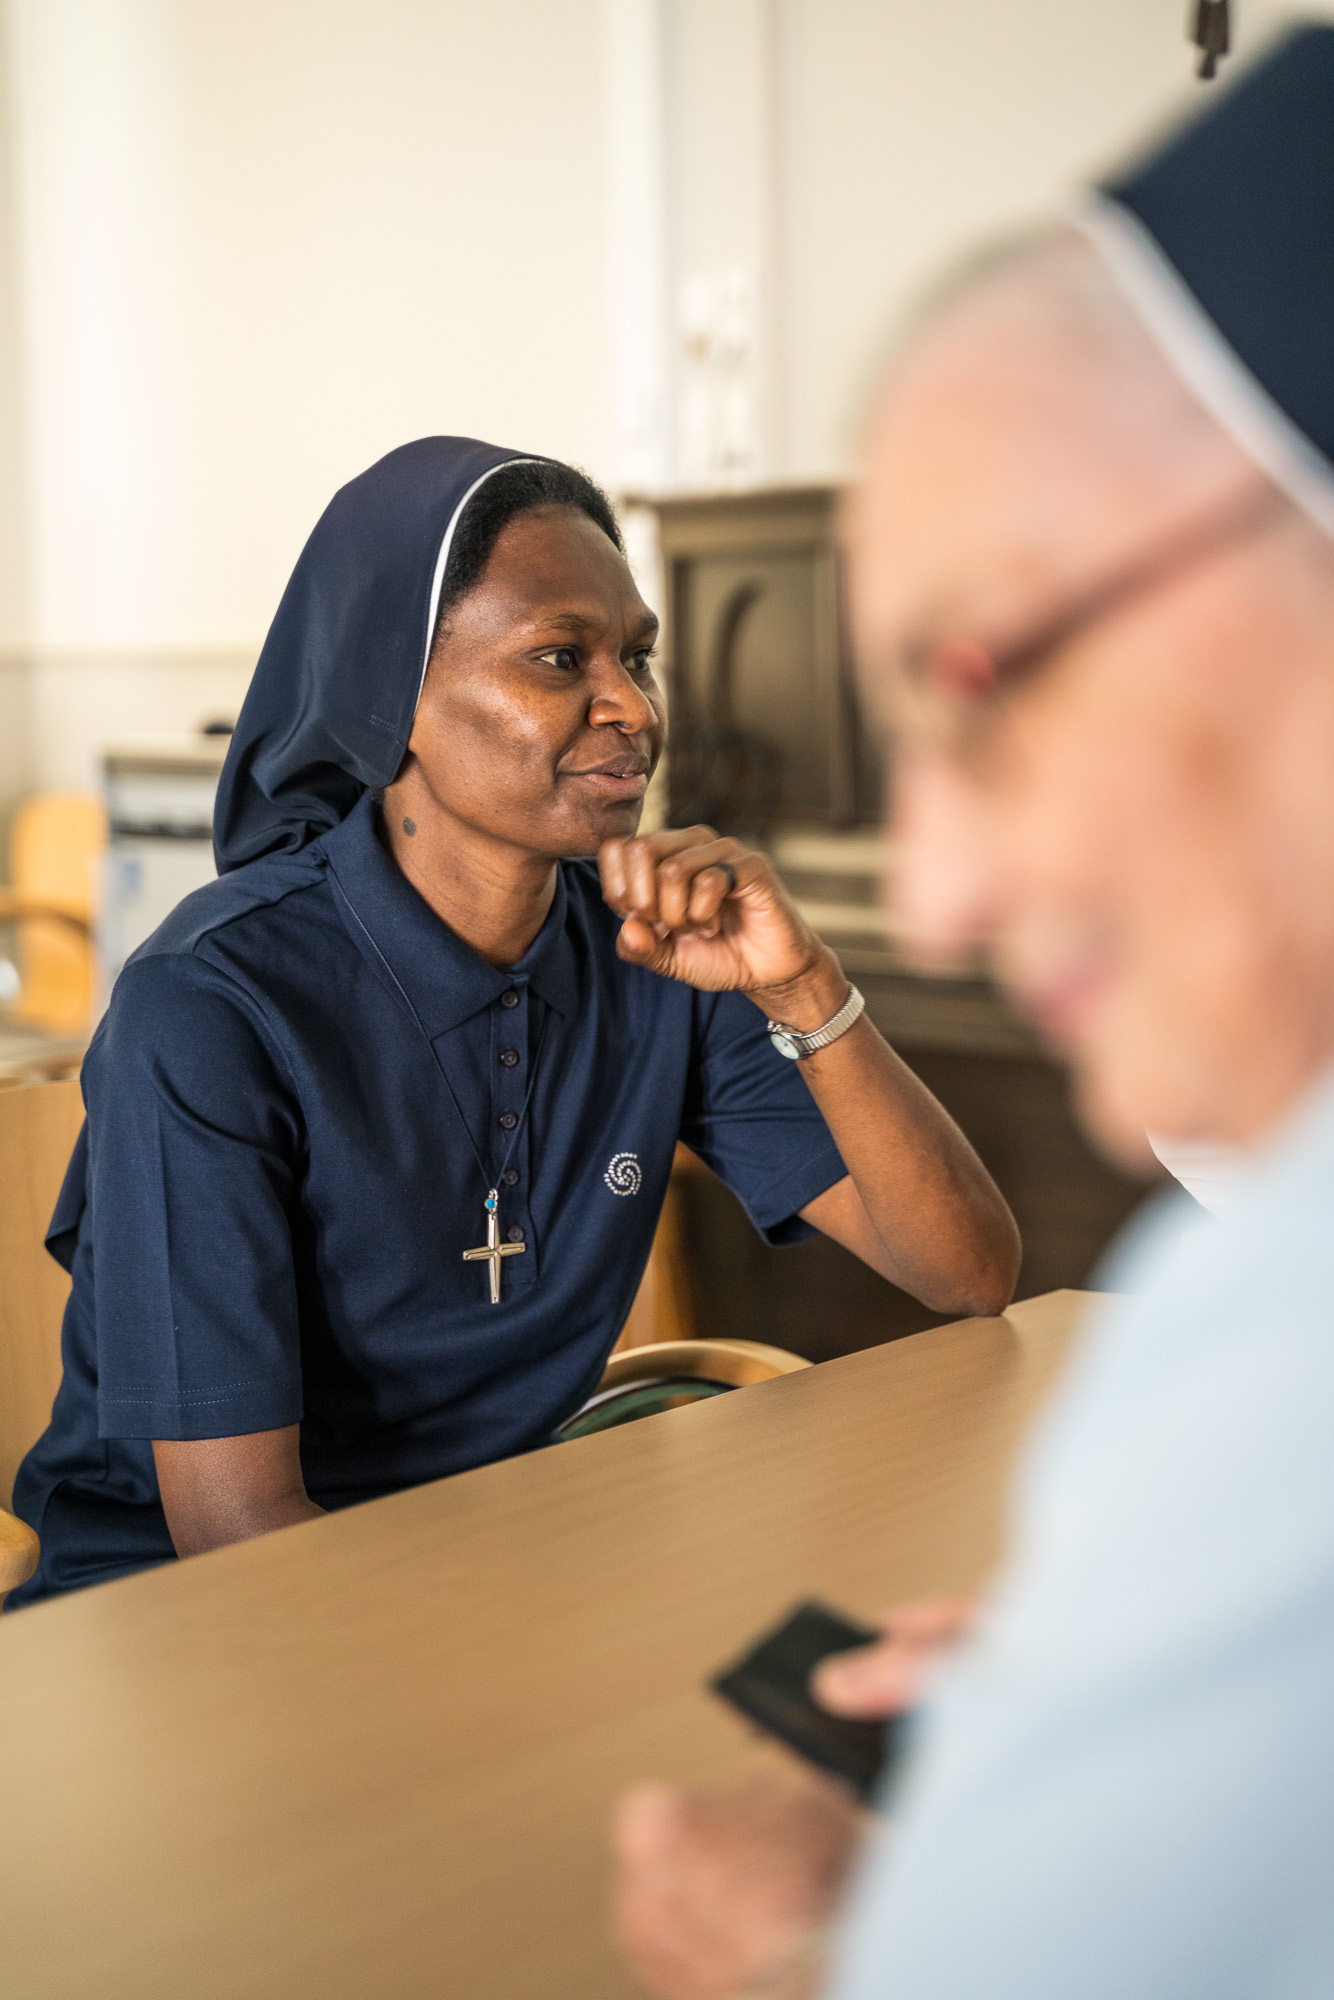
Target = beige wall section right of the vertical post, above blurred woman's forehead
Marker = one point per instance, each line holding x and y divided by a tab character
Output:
911	131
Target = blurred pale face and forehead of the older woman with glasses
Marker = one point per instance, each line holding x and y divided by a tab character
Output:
1141	833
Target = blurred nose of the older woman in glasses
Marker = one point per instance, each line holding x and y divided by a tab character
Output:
941	885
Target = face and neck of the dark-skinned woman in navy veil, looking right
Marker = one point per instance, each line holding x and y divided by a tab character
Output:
537	735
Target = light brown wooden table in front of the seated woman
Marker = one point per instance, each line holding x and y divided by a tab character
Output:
375	1755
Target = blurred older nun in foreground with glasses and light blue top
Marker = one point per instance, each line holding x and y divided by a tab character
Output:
1095	599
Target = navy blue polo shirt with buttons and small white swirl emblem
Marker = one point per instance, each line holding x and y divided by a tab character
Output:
269	1209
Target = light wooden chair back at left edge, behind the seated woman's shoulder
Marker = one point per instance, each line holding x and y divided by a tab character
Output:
39	1125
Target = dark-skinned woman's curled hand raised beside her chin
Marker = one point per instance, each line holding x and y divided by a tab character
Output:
709	913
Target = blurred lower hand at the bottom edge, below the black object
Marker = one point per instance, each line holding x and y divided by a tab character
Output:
723	1895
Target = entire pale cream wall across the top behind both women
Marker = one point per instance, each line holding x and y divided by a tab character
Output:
251	245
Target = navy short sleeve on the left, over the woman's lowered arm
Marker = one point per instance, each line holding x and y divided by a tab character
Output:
195	1143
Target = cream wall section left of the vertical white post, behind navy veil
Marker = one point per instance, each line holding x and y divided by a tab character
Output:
257	245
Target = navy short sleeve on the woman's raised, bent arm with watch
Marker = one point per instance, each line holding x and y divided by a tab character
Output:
755	1123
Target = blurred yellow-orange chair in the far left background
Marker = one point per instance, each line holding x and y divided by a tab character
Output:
55	847
